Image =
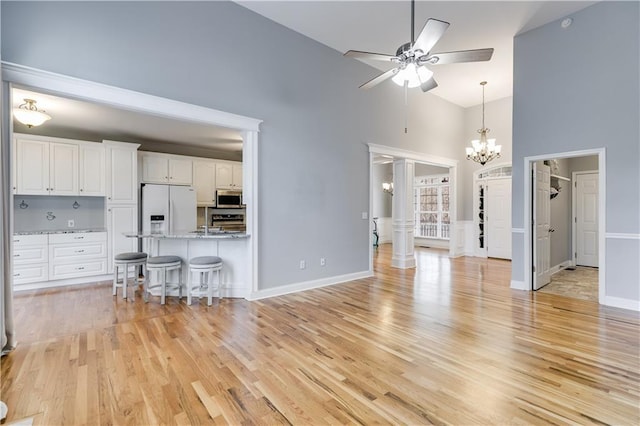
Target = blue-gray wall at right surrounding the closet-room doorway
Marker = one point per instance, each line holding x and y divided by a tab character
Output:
564	101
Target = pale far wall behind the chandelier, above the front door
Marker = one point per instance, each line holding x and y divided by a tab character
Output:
498	119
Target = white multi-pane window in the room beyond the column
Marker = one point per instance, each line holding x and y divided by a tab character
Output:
431	206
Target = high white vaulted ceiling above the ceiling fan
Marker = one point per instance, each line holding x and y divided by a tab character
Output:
382	26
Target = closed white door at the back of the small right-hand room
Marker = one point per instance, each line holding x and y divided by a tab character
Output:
587	219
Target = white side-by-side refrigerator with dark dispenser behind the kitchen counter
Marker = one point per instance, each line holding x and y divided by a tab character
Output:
168	209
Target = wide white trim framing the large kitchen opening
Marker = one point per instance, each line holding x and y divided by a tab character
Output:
117	97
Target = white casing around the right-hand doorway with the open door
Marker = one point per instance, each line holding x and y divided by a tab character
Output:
602	196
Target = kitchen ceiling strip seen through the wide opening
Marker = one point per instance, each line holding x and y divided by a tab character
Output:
76	119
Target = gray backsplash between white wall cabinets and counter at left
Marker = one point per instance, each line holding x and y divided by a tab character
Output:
48	213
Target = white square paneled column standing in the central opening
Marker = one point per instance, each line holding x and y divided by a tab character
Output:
403	217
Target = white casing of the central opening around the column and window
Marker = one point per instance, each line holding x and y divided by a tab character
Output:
419	157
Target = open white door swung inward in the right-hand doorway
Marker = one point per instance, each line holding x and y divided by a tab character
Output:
541	224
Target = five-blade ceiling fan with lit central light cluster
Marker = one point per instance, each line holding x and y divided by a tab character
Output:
411	58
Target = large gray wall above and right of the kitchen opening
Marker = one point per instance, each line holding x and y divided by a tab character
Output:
313	159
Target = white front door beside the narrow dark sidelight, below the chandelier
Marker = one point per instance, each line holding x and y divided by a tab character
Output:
498	219
